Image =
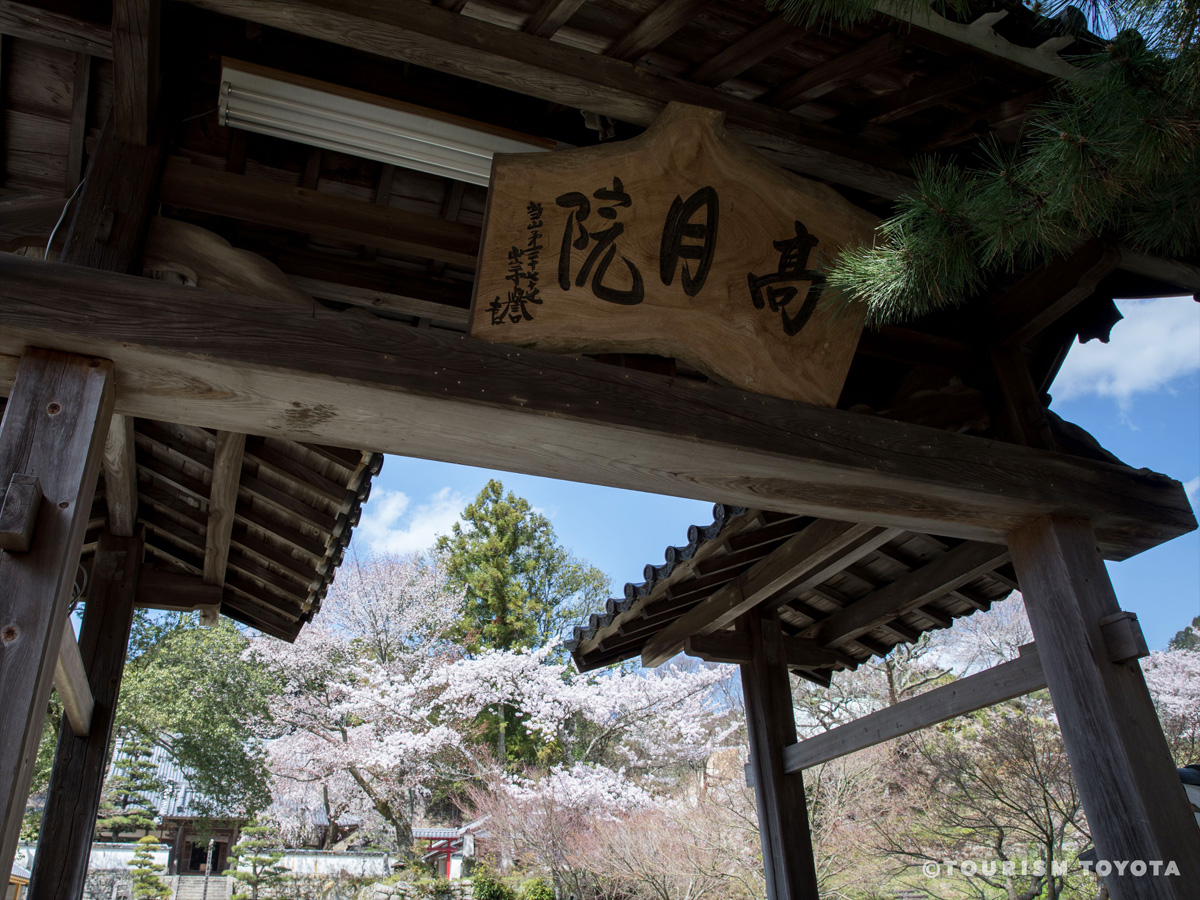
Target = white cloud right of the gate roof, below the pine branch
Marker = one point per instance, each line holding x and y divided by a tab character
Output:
1157	343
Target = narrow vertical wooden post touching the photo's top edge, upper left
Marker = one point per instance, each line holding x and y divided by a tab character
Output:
136	77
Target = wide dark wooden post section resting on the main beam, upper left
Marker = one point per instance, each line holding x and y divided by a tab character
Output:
112	214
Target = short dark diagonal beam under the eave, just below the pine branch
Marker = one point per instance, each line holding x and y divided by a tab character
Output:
1051	292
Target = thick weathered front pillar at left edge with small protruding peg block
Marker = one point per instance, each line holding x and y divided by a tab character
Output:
55	430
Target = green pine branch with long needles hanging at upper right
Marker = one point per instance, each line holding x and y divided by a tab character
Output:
1115	155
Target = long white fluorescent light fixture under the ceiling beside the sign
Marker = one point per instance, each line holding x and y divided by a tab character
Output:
328	116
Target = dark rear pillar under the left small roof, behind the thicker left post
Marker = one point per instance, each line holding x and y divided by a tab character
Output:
61	867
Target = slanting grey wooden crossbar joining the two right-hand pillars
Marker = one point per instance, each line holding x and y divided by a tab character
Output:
983	689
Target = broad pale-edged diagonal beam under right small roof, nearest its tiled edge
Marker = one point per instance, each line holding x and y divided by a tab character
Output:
820	550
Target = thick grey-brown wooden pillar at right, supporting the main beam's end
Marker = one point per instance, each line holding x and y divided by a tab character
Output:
1132	796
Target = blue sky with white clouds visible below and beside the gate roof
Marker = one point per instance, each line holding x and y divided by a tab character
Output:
1139	395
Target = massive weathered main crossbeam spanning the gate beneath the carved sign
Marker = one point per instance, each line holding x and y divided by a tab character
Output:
236	363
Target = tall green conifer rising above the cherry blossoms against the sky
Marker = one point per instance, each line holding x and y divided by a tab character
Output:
523	589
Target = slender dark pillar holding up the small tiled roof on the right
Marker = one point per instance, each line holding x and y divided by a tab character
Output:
771	723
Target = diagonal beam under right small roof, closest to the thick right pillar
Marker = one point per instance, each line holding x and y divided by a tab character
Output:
947	573
